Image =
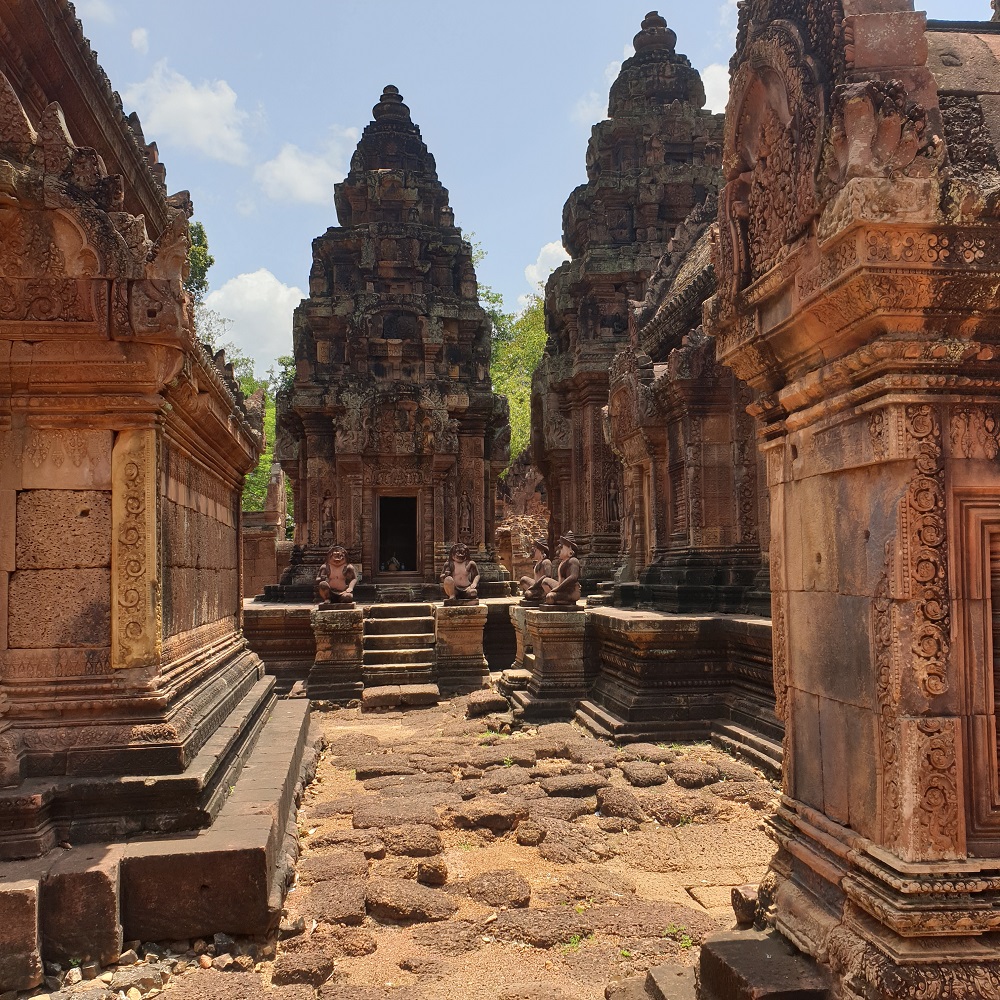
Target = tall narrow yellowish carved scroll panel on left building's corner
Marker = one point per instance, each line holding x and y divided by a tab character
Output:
135	632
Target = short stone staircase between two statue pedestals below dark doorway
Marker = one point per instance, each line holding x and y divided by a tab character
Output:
398	656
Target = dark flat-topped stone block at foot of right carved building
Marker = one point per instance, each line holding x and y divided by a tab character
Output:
758	965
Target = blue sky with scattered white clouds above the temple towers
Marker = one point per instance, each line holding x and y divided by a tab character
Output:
256	108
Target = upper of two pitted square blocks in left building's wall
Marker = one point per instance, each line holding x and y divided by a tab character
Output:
58	529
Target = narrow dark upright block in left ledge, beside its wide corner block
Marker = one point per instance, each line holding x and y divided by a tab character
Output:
80	914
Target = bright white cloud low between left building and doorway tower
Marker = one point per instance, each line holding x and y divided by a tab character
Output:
260	307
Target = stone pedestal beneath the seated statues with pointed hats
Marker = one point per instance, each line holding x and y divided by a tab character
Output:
553	653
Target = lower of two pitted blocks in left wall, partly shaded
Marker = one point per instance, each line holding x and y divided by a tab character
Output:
50	608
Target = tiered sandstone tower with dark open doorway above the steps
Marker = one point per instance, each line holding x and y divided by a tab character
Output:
391	435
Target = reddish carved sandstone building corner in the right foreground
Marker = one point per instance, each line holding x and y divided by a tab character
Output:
863	310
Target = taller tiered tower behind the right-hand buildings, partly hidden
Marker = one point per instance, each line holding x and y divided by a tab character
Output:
648	166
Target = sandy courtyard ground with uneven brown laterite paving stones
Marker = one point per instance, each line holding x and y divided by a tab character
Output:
442	858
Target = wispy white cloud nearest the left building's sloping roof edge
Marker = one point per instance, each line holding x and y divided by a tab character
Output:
204	118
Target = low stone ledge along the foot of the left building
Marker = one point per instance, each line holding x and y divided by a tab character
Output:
82	902
